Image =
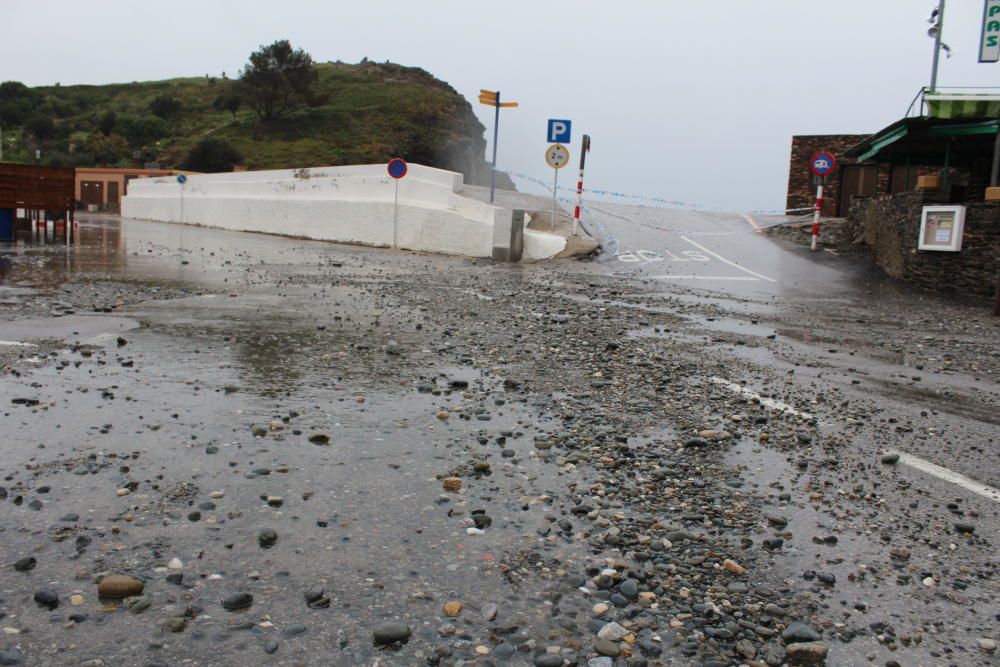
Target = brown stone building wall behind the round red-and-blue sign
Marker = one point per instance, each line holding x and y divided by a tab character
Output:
801	189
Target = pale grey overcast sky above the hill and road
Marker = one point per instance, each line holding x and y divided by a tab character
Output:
691	100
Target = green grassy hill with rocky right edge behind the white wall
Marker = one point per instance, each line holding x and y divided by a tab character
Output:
360	113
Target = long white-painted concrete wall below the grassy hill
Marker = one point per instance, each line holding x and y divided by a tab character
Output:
351	204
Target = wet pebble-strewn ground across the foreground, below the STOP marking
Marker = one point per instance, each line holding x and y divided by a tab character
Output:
308	454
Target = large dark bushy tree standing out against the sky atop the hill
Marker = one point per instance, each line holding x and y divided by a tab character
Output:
277	78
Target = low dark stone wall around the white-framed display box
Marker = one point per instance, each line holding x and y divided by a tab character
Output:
890	225
